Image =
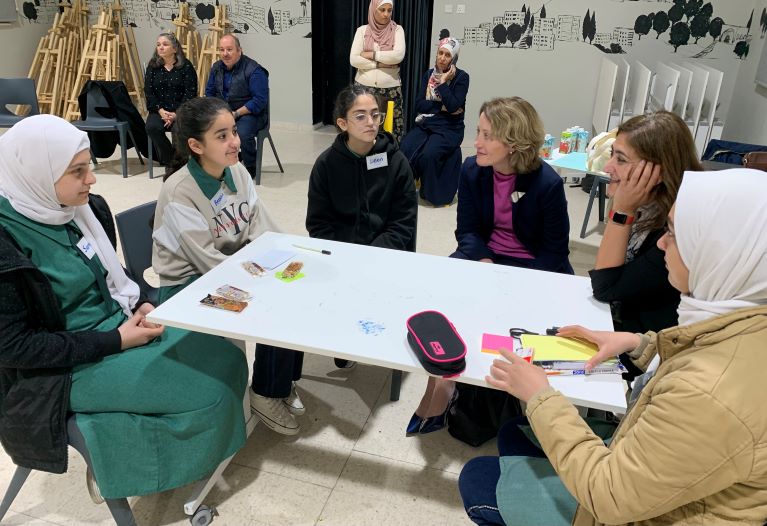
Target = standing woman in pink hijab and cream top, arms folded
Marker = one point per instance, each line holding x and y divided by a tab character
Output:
377	50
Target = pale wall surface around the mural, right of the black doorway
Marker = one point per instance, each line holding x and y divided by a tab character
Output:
561	82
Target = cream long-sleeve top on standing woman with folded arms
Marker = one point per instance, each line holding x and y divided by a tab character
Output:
368	71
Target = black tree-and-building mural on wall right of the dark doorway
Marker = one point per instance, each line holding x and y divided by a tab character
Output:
688	27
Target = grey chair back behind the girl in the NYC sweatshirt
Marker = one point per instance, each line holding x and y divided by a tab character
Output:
135	229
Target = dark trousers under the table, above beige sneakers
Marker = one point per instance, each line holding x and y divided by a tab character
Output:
275	369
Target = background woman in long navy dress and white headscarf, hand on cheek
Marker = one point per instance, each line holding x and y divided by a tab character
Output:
433	144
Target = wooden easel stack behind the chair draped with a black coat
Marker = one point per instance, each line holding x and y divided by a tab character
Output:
109	53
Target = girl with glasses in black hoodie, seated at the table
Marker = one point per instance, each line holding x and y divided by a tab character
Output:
361	189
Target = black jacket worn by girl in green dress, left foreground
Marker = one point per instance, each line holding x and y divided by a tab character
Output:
36	360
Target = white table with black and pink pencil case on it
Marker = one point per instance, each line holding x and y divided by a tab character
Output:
354	303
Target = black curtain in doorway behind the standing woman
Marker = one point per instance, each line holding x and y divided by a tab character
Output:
334	23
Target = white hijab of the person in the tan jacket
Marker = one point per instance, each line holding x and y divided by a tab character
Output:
721	231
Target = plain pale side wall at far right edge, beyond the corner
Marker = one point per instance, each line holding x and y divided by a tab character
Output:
747	118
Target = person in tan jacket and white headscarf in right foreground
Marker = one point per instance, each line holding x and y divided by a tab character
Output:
692	448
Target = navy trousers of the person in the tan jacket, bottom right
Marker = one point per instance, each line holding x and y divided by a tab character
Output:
480	475
